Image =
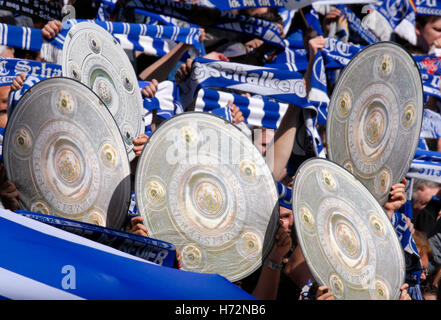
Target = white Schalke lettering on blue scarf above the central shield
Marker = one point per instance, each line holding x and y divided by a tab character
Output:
266	79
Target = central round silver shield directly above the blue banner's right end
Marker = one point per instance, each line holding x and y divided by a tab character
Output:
202	185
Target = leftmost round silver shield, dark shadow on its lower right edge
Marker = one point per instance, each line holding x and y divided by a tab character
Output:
64	152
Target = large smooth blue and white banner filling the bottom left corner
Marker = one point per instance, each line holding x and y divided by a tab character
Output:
45	263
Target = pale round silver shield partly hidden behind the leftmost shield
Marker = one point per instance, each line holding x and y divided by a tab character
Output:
94	57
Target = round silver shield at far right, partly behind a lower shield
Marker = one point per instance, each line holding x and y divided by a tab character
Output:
375	116
